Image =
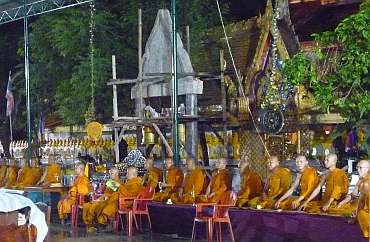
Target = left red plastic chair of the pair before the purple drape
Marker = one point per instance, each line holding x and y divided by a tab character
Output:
202	217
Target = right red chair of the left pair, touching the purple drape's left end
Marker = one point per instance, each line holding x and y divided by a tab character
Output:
140	206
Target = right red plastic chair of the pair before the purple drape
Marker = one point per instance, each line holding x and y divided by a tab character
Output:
221	213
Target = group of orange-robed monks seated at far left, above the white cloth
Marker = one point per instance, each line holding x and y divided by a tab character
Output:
14	176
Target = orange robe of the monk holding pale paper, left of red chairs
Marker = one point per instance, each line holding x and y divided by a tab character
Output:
94	209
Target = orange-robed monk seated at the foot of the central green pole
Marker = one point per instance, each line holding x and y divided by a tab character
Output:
172	183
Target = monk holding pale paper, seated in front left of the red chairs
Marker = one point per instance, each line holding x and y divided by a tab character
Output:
93	209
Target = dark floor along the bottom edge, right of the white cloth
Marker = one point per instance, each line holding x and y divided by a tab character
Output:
60	233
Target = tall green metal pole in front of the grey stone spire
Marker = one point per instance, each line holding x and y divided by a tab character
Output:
175	135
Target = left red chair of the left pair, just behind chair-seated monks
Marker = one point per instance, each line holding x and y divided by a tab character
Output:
124	210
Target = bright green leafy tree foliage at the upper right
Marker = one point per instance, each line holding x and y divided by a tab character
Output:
338	74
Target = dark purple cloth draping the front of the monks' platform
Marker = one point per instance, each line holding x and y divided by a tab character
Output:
258	226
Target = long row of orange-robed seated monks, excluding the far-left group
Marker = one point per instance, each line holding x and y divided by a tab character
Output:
194	187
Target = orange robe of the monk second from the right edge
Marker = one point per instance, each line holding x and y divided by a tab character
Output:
336	186
